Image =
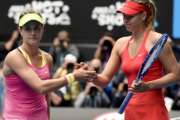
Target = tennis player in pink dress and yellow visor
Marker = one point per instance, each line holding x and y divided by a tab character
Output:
27	73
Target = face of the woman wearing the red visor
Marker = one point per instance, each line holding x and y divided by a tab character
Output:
133	22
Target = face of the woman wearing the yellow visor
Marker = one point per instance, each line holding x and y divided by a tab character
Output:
32	33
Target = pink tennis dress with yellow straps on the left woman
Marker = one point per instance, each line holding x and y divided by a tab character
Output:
21	101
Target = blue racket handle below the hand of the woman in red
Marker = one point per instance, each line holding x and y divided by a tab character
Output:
125	102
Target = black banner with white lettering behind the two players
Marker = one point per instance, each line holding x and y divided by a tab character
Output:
86	20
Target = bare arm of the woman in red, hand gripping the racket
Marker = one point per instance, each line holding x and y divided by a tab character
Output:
171	67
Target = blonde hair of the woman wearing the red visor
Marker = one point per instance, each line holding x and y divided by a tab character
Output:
151	10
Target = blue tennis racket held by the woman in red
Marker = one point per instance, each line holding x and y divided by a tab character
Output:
150	58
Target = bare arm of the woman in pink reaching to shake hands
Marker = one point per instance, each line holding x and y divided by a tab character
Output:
20	67
